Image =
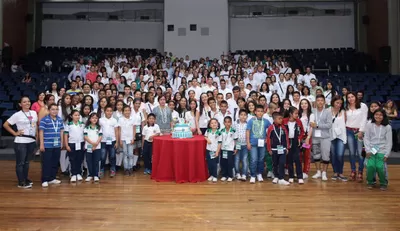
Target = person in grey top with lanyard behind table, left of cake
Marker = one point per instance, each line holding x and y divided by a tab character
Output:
163	116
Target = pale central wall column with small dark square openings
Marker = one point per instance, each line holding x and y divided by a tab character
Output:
204	13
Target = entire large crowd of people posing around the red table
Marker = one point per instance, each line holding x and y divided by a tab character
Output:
257	116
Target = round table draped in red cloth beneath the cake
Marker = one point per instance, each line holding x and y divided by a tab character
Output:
179	160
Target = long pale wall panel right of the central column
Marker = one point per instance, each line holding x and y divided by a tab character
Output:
291	32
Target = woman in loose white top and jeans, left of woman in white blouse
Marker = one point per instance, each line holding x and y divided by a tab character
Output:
338	137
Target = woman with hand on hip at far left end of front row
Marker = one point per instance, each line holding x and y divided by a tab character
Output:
24	143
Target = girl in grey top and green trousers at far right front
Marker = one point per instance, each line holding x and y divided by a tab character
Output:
378	145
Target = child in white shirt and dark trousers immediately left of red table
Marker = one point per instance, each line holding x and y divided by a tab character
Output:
149	131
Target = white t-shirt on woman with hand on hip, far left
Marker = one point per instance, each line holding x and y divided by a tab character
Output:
27	122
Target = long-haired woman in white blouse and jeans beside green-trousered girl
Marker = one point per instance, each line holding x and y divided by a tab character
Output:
356	119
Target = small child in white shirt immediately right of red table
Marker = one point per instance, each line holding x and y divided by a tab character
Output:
212	136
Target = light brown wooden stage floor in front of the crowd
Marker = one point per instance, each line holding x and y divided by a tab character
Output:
138	203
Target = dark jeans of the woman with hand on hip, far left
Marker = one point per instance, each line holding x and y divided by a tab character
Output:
23	154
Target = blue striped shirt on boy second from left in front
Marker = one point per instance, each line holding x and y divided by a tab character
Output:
51	131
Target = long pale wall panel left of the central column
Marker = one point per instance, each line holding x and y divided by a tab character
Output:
112	34
